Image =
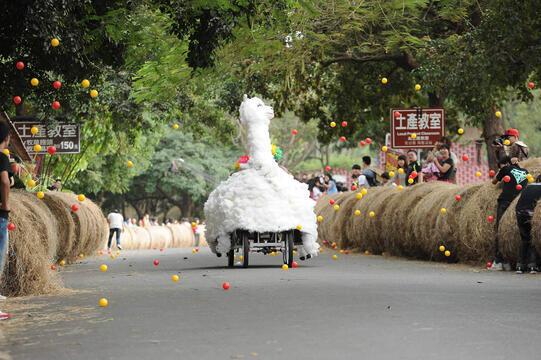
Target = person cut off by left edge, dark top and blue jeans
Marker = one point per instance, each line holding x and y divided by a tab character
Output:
6	176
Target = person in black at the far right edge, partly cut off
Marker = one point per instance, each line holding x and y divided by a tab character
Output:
524	210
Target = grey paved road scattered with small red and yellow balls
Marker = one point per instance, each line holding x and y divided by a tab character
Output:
356	307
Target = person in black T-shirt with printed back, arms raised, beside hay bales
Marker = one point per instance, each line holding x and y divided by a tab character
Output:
515	175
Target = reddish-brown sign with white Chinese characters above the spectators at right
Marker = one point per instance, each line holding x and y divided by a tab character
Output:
416	128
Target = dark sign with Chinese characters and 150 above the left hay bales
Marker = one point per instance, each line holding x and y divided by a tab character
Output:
65	137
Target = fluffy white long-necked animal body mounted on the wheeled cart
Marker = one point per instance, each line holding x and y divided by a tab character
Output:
262	197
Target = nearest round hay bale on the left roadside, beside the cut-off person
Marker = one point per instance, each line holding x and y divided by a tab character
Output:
27	270
